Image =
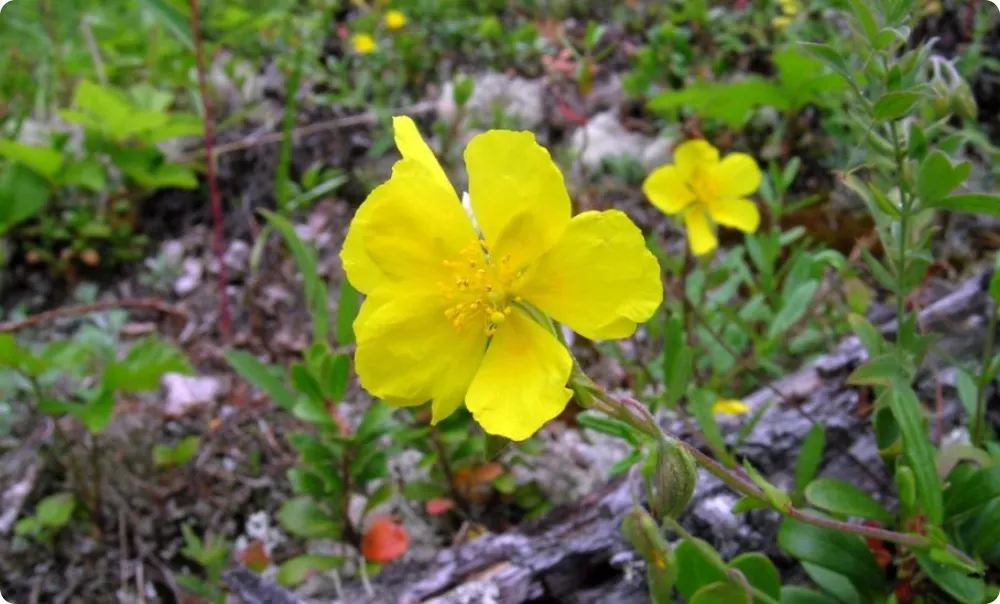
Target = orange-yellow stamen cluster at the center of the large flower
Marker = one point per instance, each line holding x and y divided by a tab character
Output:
479	292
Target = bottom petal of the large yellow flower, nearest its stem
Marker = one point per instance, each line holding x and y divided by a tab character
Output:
521	383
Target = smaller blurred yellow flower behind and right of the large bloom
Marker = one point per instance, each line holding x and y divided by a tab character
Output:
699	186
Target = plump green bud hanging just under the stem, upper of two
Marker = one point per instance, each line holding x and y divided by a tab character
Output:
671	475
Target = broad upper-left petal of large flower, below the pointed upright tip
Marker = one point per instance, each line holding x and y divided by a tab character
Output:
406	229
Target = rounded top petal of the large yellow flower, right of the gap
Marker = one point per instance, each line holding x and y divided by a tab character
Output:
518	194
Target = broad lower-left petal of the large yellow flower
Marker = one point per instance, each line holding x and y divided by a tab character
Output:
409	352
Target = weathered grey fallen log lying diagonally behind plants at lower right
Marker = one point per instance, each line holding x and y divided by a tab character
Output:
576	553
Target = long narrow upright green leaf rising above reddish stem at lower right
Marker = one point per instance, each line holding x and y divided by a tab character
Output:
919	452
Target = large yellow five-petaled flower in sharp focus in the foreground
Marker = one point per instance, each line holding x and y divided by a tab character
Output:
457	312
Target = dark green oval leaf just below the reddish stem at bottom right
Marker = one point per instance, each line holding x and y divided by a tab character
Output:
833	550
